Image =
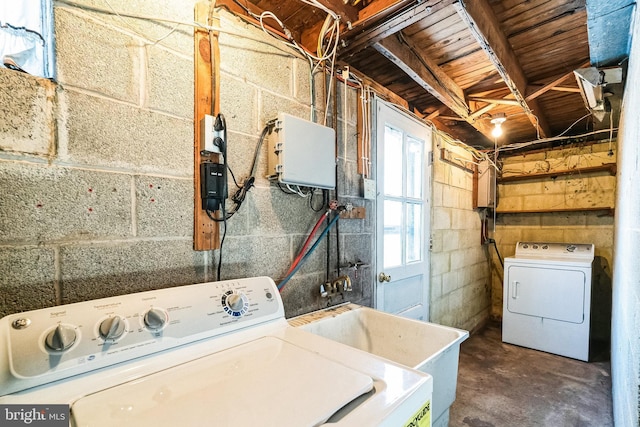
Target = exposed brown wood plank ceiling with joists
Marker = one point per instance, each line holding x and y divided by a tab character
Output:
460	63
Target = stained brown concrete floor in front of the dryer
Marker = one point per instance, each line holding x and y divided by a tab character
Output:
506	385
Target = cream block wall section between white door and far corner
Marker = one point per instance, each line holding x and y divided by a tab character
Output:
460	276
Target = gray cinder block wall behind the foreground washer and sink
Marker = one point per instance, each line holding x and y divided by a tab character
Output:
96	170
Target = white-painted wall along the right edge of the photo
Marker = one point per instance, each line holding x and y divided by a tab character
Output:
625	345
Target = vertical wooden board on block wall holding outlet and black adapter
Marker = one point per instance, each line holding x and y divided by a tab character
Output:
206	234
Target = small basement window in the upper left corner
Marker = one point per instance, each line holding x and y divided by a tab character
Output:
26	36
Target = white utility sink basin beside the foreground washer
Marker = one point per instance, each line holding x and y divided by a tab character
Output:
424	346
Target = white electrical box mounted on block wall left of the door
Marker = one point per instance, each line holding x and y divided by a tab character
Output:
302	153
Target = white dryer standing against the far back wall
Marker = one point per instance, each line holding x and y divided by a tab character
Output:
547	298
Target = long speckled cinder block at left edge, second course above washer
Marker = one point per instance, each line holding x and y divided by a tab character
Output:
43	203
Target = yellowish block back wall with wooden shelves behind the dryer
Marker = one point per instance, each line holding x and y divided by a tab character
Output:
573	191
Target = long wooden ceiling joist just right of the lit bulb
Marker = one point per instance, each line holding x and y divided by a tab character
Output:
484	26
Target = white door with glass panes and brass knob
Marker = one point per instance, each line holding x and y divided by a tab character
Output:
403	147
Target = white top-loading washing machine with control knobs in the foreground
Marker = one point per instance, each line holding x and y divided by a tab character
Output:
213	354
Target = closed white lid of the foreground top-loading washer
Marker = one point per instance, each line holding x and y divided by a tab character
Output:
266	382
